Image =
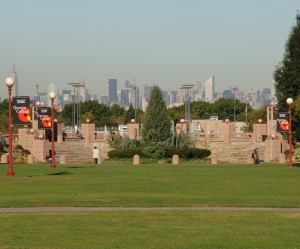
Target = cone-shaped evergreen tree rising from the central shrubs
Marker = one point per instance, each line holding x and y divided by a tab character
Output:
157	126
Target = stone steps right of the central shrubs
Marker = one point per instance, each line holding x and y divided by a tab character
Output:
236	152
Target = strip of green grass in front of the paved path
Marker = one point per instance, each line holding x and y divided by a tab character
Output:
171	229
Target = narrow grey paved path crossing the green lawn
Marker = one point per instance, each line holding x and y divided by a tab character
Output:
106	209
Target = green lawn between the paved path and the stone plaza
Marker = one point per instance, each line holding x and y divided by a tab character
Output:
264	185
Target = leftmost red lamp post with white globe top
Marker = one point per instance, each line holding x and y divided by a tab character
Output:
10	82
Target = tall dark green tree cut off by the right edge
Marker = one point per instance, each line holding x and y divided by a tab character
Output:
287	74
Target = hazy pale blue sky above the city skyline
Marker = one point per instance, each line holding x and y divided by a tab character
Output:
163	42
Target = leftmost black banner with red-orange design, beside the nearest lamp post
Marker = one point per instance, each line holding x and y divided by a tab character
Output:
21	110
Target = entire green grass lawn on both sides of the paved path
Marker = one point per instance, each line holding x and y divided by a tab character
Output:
264	185
